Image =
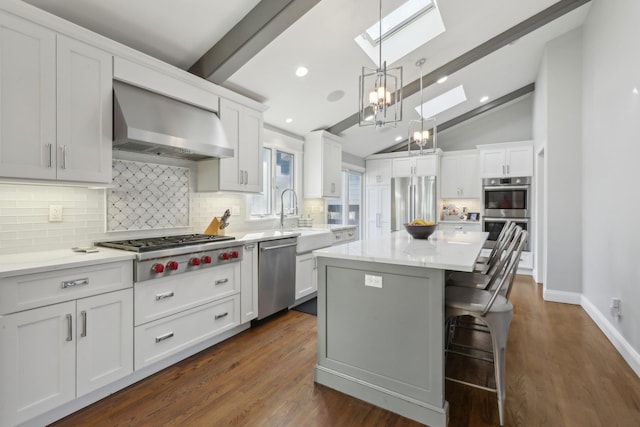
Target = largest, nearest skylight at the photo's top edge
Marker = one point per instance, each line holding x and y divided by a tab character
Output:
408	27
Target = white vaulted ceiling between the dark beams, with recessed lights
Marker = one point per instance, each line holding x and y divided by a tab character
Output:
476	49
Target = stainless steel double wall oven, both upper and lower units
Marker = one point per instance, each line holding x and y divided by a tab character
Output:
505	199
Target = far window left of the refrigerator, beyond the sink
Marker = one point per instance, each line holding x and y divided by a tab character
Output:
348	208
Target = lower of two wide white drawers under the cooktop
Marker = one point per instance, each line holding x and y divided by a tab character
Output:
162	338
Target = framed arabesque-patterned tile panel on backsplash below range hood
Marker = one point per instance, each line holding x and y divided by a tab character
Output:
147	196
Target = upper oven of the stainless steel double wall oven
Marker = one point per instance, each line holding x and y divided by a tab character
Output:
506	197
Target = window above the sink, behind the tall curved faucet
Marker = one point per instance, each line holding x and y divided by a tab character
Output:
278	175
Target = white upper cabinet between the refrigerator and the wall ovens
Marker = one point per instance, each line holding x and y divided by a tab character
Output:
459	176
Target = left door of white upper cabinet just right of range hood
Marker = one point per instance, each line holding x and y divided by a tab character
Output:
230	116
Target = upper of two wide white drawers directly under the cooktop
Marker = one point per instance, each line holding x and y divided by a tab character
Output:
159	298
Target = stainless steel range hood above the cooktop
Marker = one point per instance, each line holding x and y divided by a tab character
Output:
146	122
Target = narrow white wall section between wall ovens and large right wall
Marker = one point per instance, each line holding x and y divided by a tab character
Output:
563	173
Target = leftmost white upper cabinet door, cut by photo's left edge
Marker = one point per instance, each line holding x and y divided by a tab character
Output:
27	99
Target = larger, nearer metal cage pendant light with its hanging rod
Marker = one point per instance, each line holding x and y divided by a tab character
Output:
380	92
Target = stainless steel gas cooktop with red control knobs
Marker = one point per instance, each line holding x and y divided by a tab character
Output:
172	256
